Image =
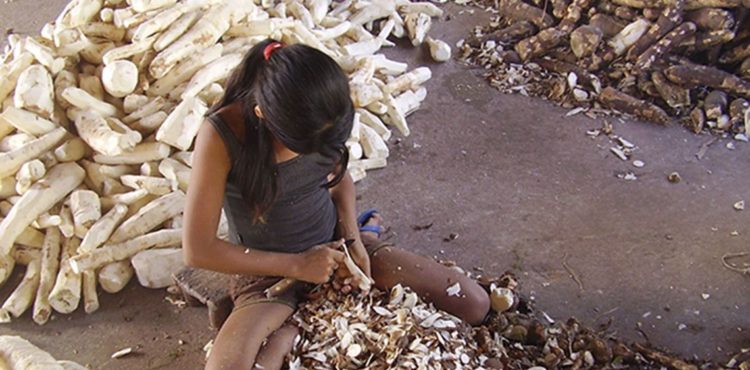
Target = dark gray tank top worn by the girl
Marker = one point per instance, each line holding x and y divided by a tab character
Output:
302	216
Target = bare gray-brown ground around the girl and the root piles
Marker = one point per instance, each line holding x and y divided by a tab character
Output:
524	189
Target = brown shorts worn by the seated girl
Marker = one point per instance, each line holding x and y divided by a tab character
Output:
249	290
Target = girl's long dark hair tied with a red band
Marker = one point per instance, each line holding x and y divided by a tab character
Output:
304	98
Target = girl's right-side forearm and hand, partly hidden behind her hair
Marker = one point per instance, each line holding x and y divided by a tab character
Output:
344	195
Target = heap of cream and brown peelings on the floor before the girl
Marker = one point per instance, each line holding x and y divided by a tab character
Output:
399	331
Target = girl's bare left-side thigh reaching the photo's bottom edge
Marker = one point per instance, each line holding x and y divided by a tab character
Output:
237	344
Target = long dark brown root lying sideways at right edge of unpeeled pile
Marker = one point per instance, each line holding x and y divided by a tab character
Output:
698	75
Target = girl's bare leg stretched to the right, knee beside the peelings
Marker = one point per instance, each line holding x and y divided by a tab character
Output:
429	279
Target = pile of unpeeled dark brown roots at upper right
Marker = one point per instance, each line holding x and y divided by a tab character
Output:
660	60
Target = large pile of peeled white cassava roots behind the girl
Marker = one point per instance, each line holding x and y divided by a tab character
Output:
98	115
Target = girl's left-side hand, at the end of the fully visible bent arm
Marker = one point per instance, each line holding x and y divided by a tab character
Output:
318	263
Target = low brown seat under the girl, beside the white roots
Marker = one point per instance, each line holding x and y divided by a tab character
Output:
209	288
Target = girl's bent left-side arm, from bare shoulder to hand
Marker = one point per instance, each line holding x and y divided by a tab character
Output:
205	197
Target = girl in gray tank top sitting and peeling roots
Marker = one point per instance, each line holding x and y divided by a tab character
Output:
273	155
